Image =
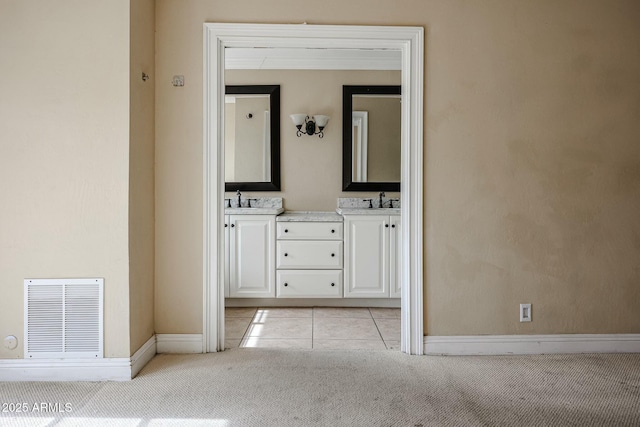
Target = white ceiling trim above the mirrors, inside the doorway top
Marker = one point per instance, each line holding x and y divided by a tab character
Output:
312	59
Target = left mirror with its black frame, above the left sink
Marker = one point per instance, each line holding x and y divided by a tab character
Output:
252	138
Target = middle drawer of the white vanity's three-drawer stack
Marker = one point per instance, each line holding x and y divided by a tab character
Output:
309	254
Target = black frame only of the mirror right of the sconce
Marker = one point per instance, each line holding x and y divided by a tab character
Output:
347	160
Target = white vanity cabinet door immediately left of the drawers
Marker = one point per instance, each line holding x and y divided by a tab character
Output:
252	263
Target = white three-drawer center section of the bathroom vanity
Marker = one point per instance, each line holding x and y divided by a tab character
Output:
309	257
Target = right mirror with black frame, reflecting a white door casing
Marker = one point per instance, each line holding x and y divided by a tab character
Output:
371	138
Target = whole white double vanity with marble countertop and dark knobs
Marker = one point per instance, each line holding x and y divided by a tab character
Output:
350	253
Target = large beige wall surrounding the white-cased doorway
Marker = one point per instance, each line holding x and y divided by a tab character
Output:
532	161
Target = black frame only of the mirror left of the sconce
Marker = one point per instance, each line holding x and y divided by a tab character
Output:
274	107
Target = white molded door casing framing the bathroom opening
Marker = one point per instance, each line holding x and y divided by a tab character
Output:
410	42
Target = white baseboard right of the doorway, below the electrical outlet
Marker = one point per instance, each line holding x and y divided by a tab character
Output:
531	344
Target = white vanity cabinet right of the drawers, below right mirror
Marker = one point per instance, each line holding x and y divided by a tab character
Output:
371	256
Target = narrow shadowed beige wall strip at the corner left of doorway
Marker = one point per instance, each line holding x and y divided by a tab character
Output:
141	172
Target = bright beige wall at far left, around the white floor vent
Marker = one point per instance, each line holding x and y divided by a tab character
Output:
64	154
